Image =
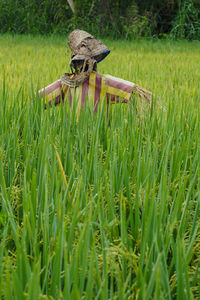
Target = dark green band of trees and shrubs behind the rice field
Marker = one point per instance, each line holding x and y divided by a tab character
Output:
116	19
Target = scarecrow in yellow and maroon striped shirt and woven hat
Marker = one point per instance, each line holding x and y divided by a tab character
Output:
85	84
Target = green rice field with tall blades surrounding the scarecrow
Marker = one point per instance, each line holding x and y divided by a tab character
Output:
97	207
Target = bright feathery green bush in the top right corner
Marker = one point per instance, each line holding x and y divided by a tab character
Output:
187	23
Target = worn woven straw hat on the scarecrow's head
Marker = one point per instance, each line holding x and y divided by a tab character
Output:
84	46
